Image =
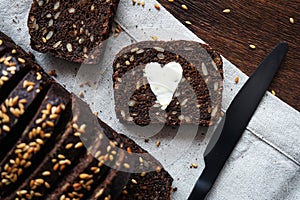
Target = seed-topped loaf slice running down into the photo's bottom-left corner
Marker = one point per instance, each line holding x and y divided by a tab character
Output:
36	140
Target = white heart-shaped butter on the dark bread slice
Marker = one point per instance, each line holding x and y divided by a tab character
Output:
163	80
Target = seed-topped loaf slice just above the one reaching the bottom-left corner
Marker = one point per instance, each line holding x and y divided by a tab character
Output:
20	106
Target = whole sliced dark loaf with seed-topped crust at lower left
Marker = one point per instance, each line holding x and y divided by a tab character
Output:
57	149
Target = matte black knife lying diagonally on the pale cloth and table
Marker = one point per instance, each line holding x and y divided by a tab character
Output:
236	119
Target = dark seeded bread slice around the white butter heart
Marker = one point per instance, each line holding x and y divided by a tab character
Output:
197	99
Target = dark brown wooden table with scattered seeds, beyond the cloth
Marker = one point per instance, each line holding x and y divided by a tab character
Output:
262	23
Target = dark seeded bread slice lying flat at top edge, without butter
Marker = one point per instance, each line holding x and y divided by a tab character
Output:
73	30
